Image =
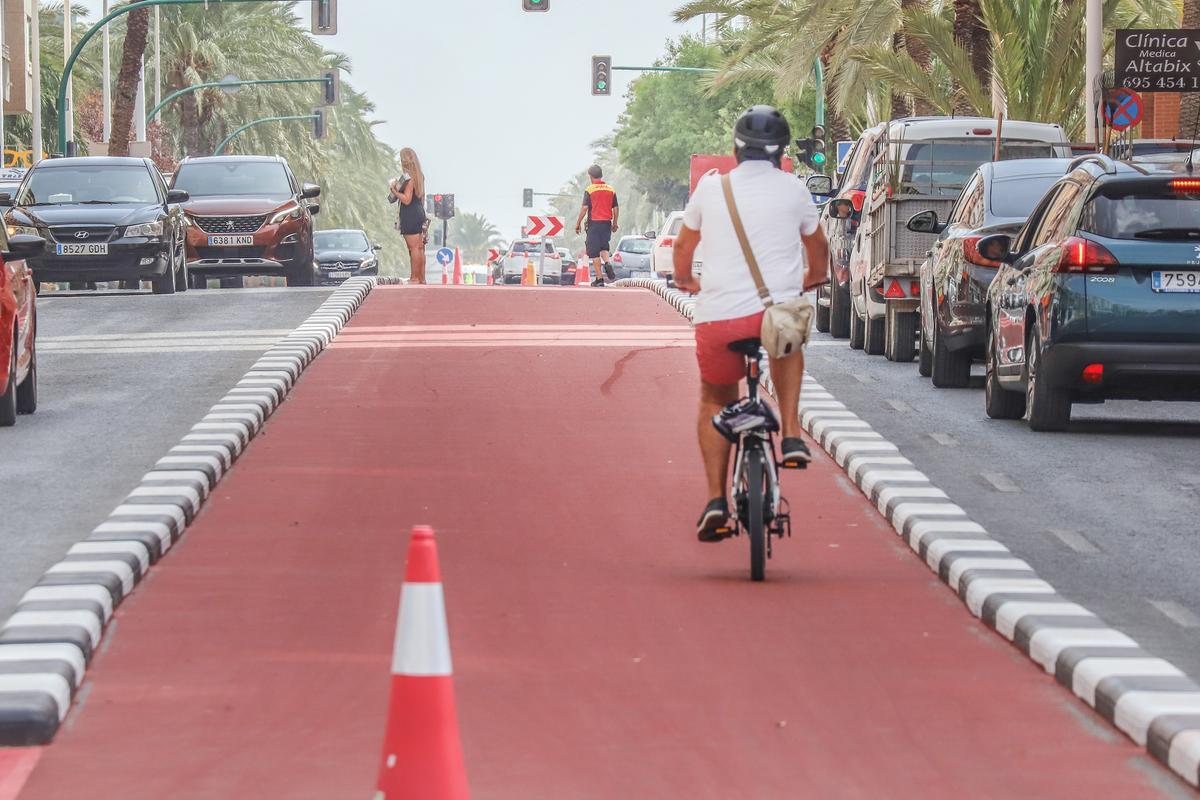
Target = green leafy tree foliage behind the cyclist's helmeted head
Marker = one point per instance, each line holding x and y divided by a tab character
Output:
670	117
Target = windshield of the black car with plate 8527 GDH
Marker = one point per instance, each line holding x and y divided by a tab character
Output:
89	184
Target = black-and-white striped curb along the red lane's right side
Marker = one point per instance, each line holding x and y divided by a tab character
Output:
1147	697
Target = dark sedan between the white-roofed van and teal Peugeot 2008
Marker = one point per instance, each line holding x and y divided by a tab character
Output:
956	278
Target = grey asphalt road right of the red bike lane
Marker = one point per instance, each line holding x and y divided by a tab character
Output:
1107	513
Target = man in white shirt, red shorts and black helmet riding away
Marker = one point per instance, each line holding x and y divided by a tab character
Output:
781	221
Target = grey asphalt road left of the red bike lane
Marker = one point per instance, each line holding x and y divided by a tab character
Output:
122	378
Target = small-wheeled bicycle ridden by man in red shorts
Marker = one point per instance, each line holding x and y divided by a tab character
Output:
752	425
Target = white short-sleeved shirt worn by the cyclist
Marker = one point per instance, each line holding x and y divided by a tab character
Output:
776	210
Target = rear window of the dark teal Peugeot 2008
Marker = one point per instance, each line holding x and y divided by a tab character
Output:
1144	216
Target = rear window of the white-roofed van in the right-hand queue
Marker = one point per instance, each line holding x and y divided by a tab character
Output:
941	167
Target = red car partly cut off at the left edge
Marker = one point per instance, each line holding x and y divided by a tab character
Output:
19	328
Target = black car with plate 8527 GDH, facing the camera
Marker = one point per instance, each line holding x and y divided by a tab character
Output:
103	219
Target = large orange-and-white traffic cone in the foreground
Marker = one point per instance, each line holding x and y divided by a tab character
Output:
422	751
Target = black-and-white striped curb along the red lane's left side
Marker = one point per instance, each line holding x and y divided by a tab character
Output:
51	637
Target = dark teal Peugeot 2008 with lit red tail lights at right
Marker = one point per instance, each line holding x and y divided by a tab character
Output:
1099	297
